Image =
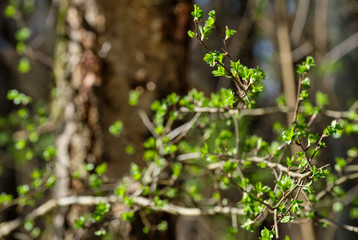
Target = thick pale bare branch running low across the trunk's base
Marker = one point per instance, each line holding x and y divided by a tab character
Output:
7	227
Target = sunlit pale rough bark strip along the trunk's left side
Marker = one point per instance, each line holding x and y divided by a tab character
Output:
77	70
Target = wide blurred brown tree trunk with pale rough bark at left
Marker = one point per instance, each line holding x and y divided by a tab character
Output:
105	49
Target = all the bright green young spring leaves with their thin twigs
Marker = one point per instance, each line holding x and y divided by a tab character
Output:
200	151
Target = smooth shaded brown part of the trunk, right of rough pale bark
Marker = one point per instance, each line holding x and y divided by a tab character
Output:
148	53
